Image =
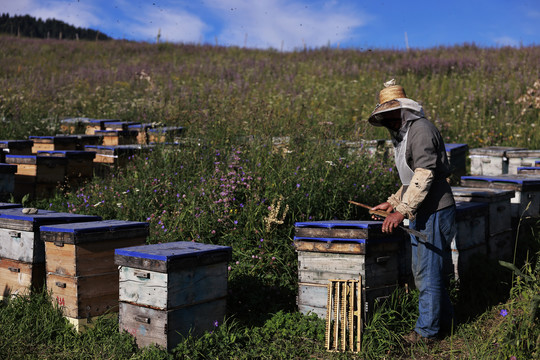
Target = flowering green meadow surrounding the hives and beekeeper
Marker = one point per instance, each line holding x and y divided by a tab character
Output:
265	146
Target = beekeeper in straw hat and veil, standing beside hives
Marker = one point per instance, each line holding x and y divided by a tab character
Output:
425	198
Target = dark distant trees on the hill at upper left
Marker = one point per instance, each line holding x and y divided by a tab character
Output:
51	28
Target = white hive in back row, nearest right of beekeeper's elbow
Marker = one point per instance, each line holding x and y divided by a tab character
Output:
491	160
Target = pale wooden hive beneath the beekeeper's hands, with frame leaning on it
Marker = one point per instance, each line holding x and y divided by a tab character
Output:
345	250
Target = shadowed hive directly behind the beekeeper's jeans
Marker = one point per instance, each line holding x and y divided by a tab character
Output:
470	238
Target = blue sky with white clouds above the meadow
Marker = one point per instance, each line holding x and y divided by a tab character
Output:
288	25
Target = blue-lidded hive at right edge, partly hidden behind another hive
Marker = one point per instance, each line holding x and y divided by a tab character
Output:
525	203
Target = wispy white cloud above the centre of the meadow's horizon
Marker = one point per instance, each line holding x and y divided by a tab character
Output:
271	23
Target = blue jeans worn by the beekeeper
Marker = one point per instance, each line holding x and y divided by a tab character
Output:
431	267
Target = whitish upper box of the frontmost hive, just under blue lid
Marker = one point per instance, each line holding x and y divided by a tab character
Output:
168	291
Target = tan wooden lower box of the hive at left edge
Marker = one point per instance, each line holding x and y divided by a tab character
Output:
17	277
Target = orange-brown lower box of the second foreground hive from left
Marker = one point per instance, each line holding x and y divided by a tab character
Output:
84	296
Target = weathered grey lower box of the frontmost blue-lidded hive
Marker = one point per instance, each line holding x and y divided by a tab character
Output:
168	327
